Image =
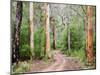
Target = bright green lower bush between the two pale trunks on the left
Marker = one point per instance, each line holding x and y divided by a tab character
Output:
39	40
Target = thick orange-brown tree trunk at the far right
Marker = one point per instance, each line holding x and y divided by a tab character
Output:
90	36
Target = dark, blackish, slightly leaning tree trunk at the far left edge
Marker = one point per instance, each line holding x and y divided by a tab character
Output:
17	32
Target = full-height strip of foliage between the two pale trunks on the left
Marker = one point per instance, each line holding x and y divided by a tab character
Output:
39	33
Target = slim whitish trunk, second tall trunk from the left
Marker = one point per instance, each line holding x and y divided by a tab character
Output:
31	30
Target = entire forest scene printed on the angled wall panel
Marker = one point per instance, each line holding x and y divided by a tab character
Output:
47	37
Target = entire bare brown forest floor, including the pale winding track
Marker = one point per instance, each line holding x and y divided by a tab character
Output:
60	63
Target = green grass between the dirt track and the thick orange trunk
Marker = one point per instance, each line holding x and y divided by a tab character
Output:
82	57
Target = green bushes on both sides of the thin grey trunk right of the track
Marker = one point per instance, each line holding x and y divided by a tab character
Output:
77	36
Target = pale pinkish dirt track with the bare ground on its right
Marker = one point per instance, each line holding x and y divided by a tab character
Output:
63	63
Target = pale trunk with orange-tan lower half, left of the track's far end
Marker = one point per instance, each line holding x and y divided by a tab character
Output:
47	30
